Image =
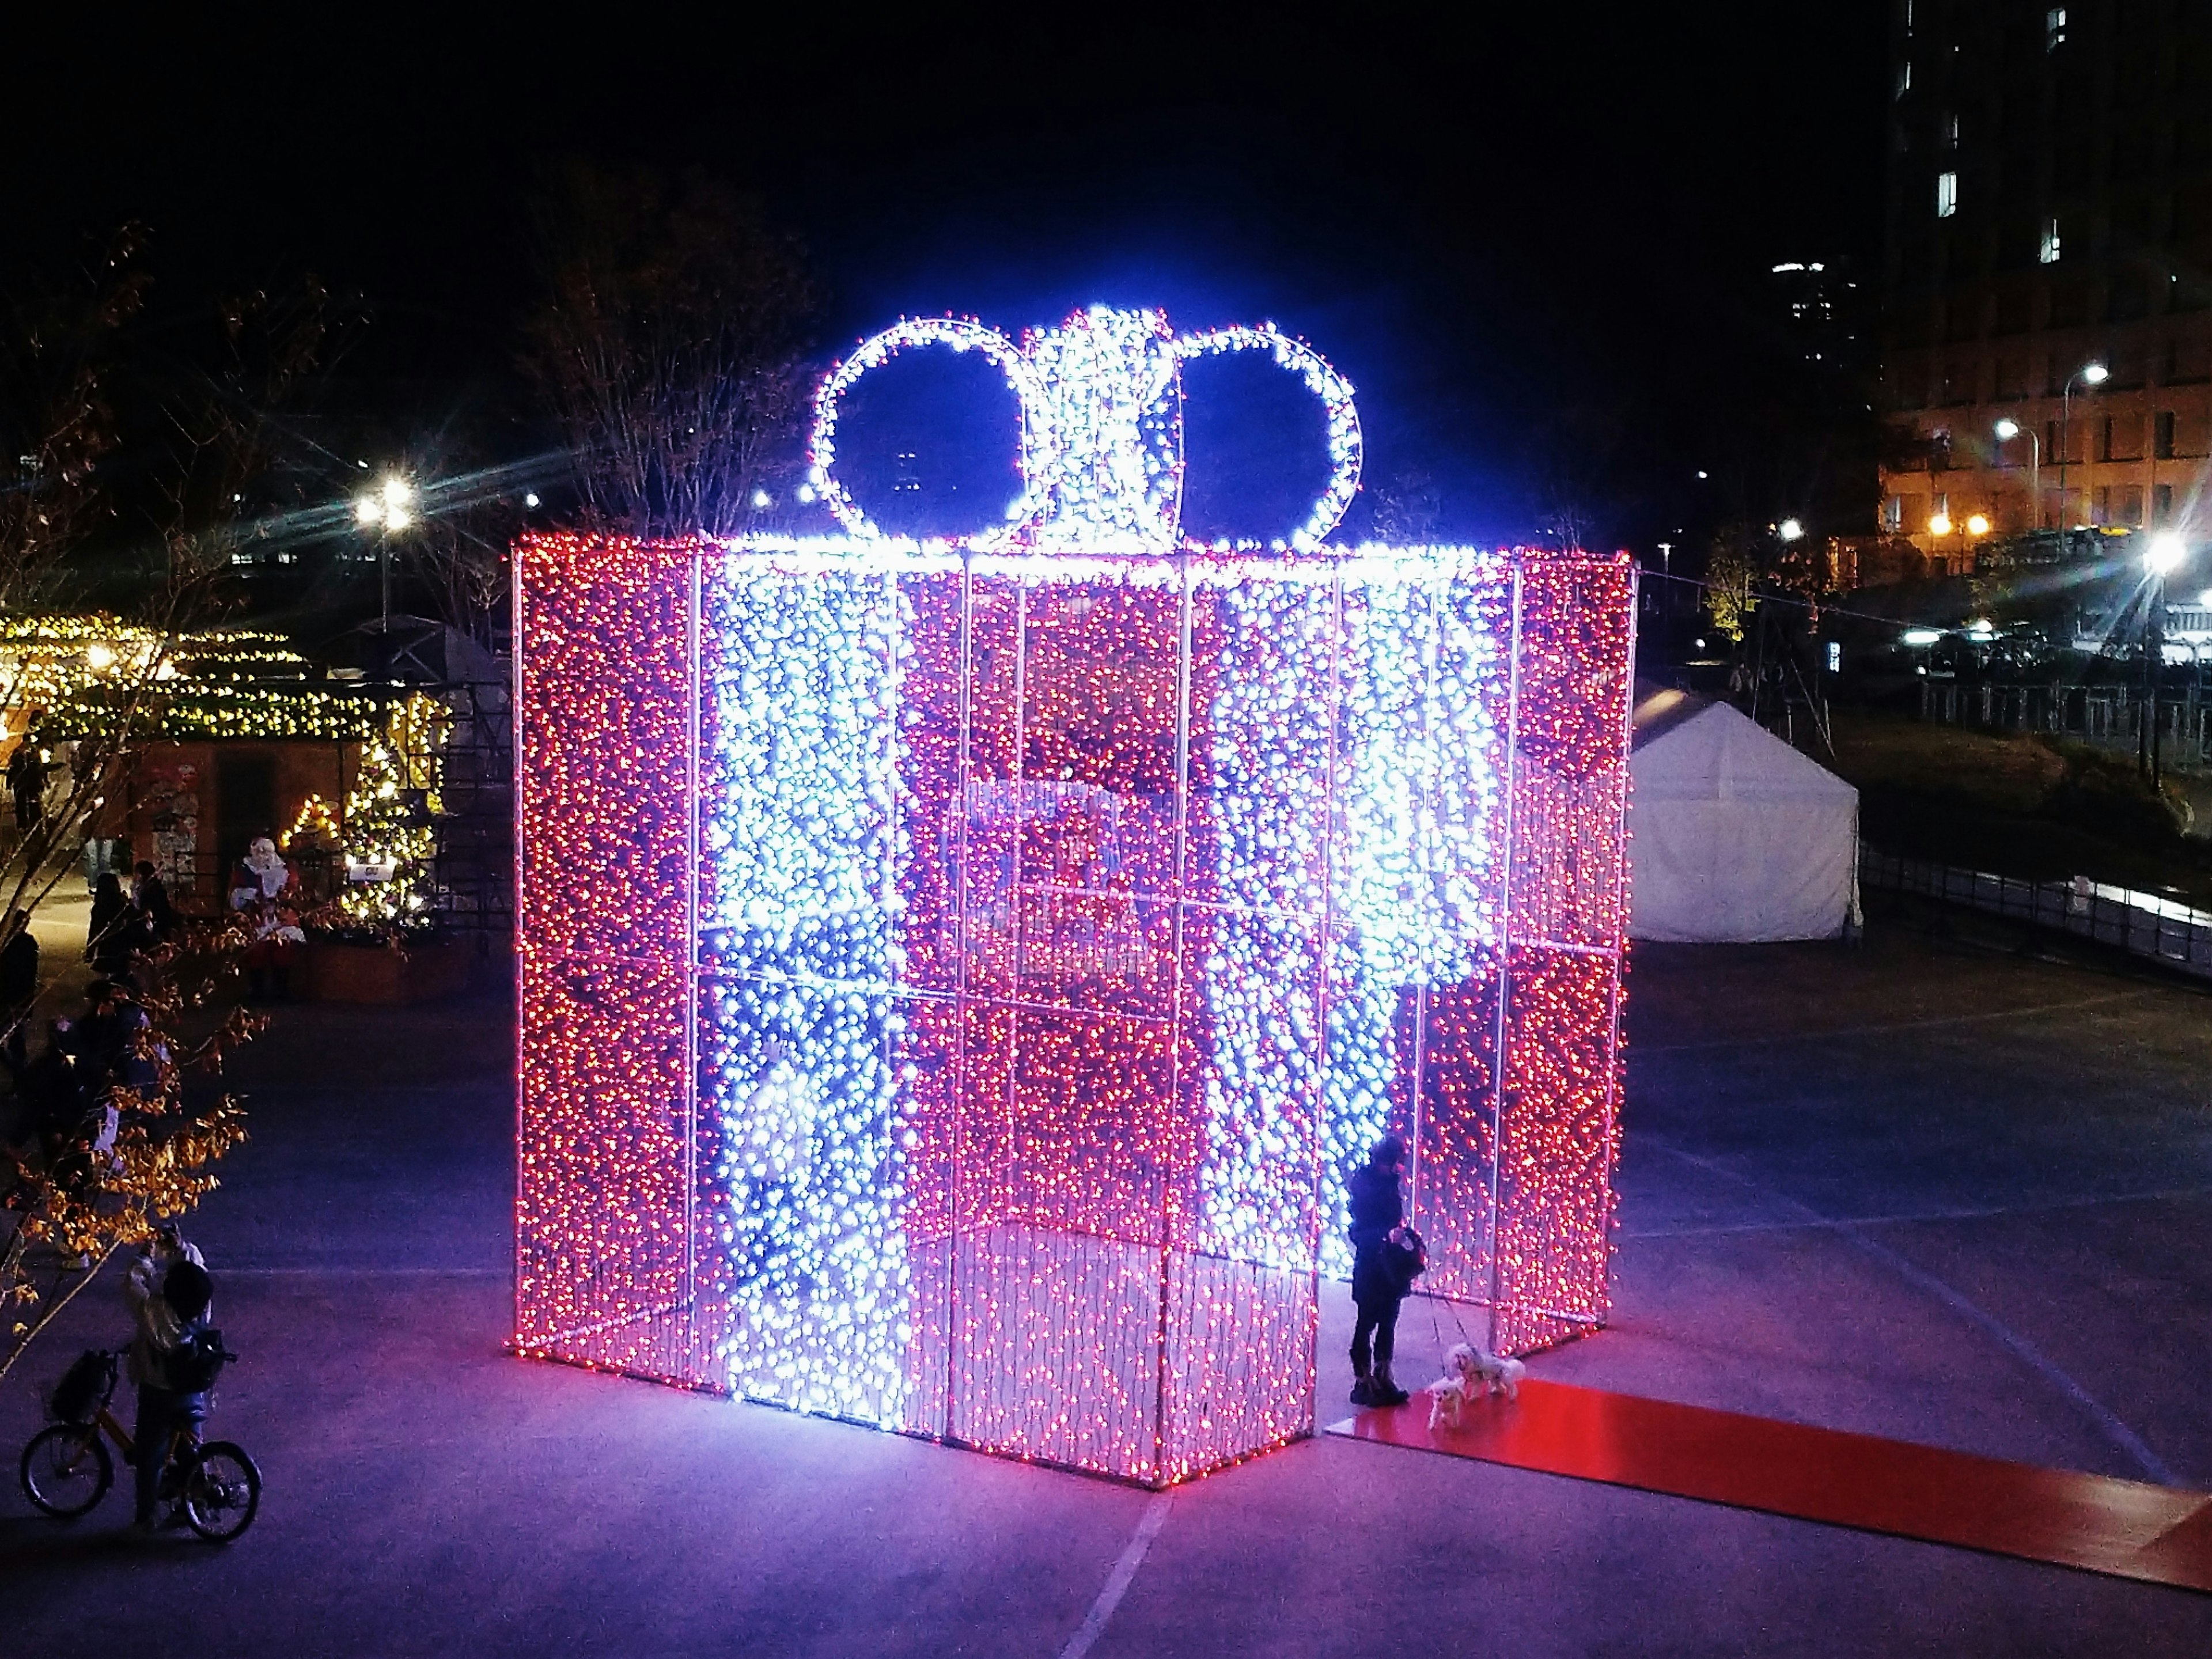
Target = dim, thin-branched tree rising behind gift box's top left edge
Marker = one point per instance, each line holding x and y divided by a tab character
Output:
667	348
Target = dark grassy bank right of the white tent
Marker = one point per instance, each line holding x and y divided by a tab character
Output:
2016	804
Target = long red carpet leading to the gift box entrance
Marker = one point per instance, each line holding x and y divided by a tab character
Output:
2122	1527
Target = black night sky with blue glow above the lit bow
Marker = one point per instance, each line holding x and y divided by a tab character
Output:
1501	229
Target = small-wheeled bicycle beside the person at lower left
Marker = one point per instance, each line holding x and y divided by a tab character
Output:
67	1465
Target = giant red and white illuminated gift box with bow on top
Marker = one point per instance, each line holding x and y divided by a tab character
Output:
959	977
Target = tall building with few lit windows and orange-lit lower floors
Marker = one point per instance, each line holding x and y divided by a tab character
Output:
2049	271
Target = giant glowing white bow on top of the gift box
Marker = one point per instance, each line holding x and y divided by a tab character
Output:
1103	426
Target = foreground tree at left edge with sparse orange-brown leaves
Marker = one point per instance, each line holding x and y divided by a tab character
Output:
174	497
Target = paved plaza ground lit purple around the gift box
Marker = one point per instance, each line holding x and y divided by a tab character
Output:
1930	1189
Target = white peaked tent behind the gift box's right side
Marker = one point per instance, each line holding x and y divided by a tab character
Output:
1733	833
